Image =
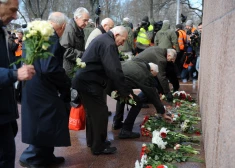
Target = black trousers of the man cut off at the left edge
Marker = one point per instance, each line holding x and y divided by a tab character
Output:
7	145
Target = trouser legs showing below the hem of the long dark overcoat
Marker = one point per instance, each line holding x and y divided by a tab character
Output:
37	155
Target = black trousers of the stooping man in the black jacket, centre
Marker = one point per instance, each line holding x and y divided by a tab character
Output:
96	119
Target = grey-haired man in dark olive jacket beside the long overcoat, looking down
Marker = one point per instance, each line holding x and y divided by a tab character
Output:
73	39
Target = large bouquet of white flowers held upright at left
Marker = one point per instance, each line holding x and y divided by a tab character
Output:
36	41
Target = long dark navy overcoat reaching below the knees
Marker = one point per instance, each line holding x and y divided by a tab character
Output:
44	116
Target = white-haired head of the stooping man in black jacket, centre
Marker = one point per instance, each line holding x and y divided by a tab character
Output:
120	34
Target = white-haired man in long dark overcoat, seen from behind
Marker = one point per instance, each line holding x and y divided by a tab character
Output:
44	117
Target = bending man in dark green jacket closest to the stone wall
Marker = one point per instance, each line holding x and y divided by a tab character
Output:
159	56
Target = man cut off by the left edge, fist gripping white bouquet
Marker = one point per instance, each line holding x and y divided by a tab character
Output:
8	105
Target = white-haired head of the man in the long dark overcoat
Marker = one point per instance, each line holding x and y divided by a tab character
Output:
58	20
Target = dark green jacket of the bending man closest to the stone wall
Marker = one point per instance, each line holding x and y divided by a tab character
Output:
157	56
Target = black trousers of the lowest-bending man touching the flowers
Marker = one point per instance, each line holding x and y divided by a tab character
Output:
133	113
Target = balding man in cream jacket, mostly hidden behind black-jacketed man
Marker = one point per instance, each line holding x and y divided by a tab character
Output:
106	25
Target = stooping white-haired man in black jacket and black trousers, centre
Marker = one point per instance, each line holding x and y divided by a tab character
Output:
102	64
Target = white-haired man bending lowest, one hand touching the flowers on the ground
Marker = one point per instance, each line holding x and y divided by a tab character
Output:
139	75
